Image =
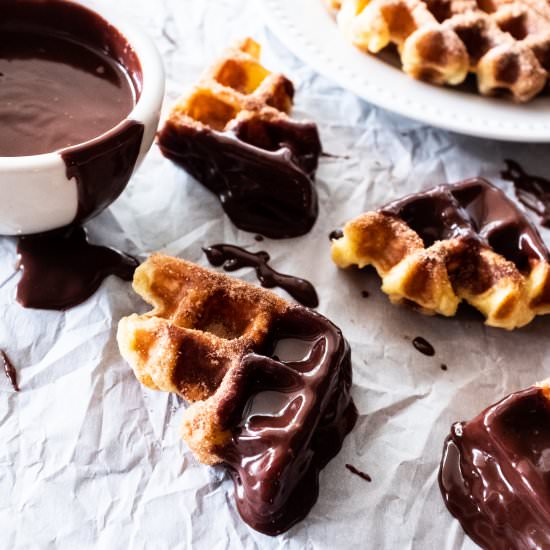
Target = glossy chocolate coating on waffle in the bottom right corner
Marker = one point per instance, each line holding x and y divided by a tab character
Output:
495	473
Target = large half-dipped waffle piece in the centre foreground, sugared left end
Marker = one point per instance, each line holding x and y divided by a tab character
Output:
268	382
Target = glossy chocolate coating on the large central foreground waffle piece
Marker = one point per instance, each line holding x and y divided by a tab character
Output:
288	419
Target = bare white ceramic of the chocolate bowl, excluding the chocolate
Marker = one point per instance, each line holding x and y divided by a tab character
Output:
35	193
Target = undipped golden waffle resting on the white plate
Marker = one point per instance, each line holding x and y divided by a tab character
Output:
505	43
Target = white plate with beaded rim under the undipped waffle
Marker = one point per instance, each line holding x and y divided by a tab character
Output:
310	32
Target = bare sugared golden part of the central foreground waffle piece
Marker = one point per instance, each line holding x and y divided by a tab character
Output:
201	326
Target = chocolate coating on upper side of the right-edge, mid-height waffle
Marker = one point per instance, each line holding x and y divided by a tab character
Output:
475	211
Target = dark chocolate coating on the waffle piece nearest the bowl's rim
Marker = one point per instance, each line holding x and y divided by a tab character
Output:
262	171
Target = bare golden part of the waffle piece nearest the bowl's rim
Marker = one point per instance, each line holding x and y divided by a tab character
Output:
236	87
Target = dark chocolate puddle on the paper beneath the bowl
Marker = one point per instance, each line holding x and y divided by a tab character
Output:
62	269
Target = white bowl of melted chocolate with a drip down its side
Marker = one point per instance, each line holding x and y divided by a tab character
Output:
81	90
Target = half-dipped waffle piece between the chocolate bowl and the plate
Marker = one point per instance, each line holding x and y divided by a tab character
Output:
232	133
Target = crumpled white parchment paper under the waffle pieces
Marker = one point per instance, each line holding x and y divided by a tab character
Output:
88	458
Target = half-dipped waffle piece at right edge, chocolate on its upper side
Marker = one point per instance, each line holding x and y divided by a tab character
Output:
462	241
